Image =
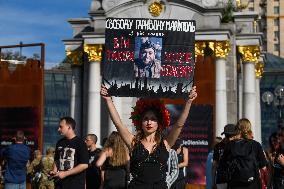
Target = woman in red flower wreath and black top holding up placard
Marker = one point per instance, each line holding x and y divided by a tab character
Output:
149	151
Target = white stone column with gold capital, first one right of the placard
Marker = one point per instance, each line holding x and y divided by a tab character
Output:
221	51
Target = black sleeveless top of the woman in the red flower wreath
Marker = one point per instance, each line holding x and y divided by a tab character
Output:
149	170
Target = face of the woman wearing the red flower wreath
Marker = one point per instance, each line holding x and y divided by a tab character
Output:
149	122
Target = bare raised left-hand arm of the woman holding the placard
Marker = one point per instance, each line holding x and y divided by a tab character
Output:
122	130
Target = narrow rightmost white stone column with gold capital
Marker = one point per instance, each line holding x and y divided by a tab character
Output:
258	74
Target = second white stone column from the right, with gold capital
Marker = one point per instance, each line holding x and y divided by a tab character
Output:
250	55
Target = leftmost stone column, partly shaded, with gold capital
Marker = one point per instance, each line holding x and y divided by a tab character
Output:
76	58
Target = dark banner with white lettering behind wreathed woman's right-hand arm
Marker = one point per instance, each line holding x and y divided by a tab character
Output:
197	137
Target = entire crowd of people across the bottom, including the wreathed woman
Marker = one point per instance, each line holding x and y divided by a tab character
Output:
147	159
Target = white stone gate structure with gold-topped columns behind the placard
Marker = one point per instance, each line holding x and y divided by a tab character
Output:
228	62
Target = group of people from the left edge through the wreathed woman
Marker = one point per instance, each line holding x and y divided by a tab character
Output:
146	159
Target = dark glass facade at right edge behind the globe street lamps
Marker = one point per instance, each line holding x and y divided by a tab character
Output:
272	110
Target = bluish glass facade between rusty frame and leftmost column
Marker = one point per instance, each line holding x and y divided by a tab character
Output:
57	87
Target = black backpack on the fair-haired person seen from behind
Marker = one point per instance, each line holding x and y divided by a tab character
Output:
242	163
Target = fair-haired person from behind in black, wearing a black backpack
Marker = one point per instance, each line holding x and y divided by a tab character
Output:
244	158
